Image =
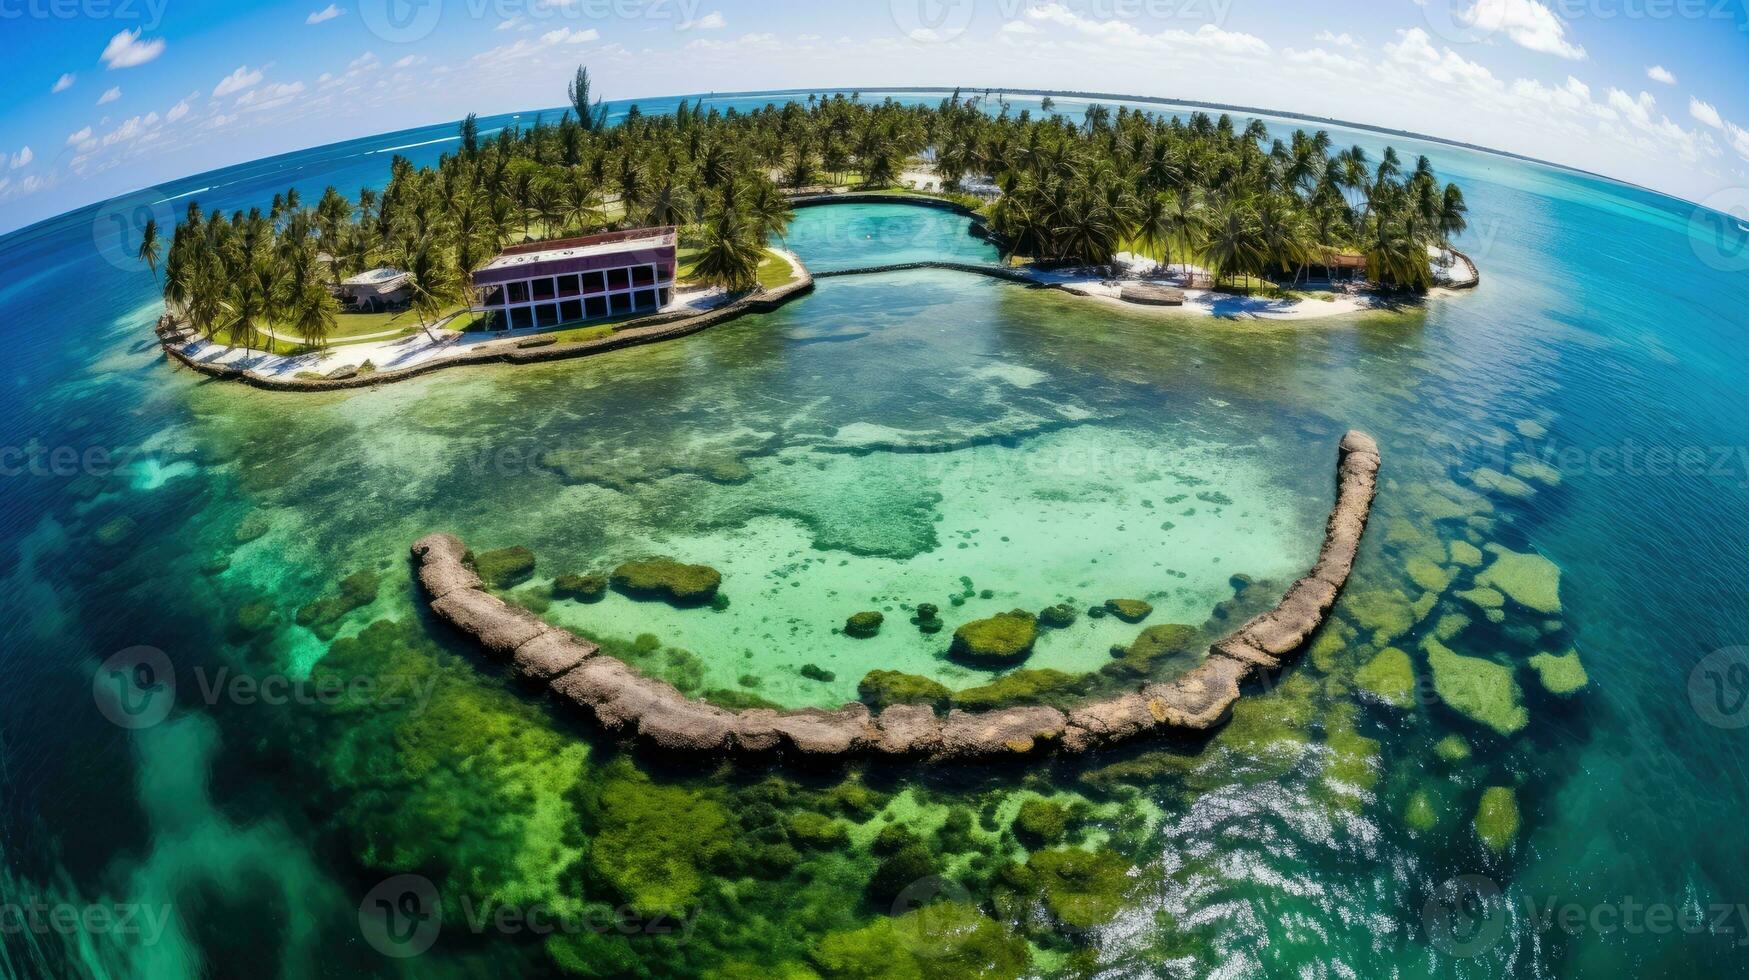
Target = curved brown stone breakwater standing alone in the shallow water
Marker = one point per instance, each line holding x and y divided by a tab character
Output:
629	704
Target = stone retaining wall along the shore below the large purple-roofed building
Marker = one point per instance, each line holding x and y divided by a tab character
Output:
648	330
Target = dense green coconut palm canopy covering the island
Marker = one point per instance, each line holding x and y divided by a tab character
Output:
1073	192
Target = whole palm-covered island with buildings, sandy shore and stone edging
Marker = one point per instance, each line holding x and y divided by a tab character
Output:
582	237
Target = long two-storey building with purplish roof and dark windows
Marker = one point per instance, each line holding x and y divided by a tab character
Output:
578	281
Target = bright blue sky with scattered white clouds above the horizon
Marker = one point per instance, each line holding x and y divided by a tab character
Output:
104	97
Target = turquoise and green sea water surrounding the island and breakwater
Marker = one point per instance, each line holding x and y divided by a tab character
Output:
886	442
